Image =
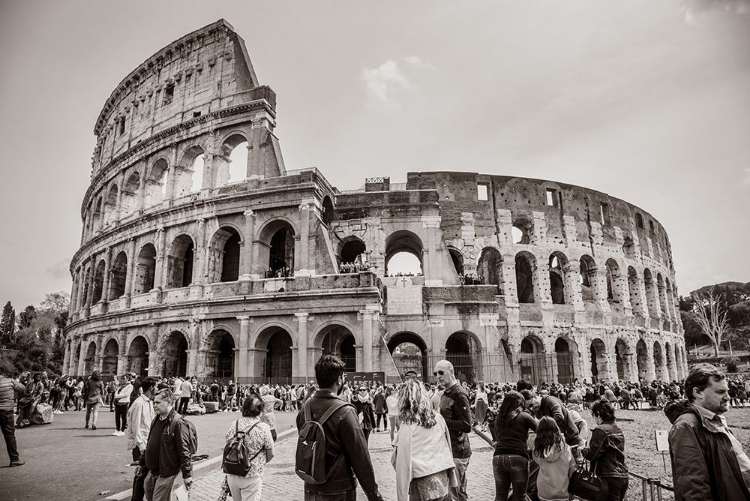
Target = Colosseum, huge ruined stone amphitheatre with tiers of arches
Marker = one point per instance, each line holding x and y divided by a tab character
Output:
201	254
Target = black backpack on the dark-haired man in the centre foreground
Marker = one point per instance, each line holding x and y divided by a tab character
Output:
310	458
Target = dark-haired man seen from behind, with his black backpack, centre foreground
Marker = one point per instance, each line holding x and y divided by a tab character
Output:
331	449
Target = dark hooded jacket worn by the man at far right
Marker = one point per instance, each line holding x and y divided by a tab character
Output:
704	464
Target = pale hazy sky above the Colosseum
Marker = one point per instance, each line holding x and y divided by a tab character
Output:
647	101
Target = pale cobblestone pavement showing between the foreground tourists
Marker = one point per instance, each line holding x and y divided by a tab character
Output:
281	483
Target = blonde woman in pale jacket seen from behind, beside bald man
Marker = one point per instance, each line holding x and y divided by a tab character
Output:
422	456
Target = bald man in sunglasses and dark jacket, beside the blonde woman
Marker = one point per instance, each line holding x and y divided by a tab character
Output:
456	410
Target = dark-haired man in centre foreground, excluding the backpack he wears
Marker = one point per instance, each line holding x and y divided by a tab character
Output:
346	449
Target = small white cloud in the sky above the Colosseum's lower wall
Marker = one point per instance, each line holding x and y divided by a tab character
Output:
382	84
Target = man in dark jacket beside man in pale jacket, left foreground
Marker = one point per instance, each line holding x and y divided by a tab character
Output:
167	450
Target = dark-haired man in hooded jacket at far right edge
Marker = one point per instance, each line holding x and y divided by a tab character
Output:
708	462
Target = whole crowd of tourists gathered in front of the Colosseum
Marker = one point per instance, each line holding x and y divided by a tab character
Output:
539	437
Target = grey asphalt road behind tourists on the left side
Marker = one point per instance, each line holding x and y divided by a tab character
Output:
65	461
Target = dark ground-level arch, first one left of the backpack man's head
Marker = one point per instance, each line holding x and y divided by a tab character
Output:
275	344
